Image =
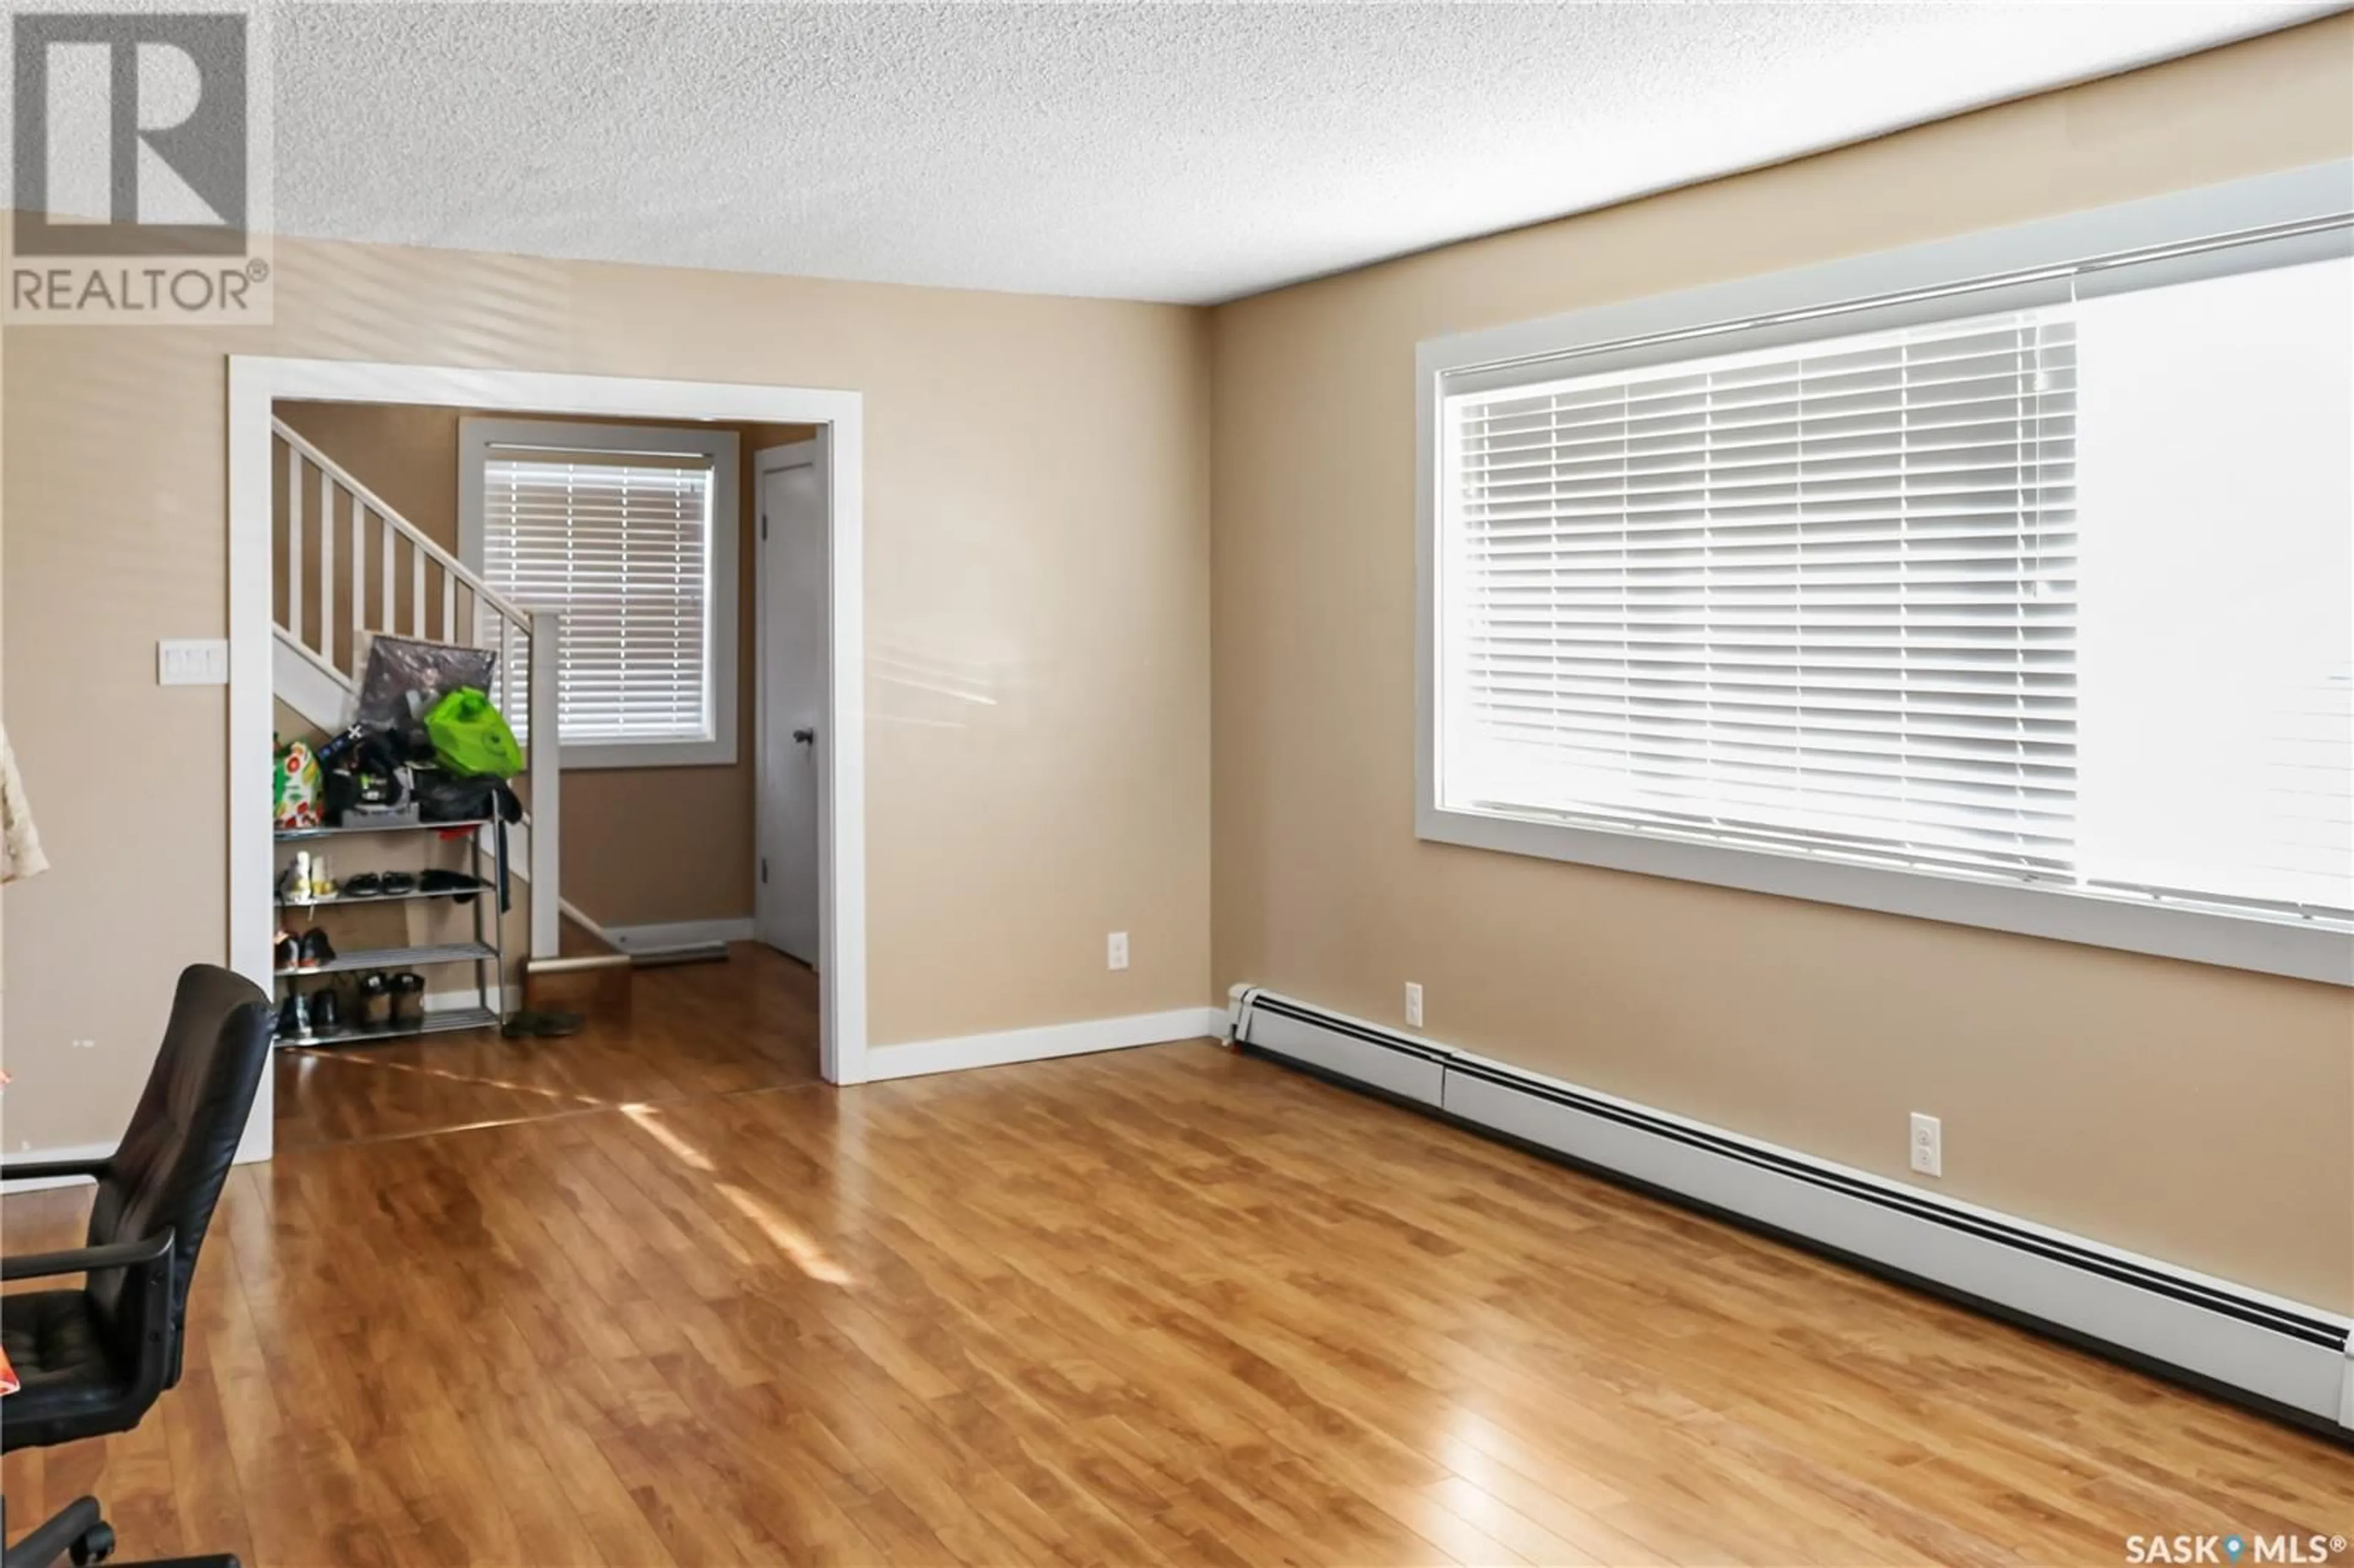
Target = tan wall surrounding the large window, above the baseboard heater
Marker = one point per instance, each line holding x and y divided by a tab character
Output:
2190	1112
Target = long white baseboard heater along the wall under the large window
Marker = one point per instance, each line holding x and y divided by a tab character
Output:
2268	1353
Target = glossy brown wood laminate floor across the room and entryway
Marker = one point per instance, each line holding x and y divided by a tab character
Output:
656	1296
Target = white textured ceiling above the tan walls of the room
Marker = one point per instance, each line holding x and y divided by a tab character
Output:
1145	152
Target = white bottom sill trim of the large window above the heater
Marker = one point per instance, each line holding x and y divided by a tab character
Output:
2167	931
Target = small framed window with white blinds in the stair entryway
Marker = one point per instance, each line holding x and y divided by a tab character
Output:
632	536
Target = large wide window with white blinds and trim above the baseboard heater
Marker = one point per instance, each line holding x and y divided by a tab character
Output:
2021	599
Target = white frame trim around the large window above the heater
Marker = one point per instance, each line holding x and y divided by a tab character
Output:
2294	213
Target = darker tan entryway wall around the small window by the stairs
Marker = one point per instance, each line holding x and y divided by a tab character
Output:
691	830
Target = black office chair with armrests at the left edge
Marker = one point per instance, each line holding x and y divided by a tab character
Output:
95	1360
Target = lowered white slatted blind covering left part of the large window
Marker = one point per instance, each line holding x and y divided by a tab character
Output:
1809	599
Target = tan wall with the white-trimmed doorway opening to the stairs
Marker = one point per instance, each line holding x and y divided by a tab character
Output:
1051	557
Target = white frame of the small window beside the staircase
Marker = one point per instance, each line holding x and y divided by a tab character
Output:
724	651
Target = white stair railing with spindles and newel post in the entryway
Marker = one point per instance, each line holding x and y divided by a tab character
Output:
350	569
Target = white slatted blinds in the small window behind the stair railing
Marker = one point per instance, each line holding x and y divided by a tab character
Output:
623	547
